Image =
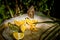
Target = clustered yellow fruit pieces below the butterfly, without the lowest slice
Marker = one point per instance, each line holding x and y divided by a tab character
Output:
23	26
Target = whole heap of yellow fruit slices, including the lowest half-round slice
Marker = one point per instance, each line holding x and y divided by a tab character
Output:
23	25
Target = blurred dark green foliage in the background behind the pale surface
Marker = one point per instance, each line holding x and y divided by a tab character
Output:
8	7
